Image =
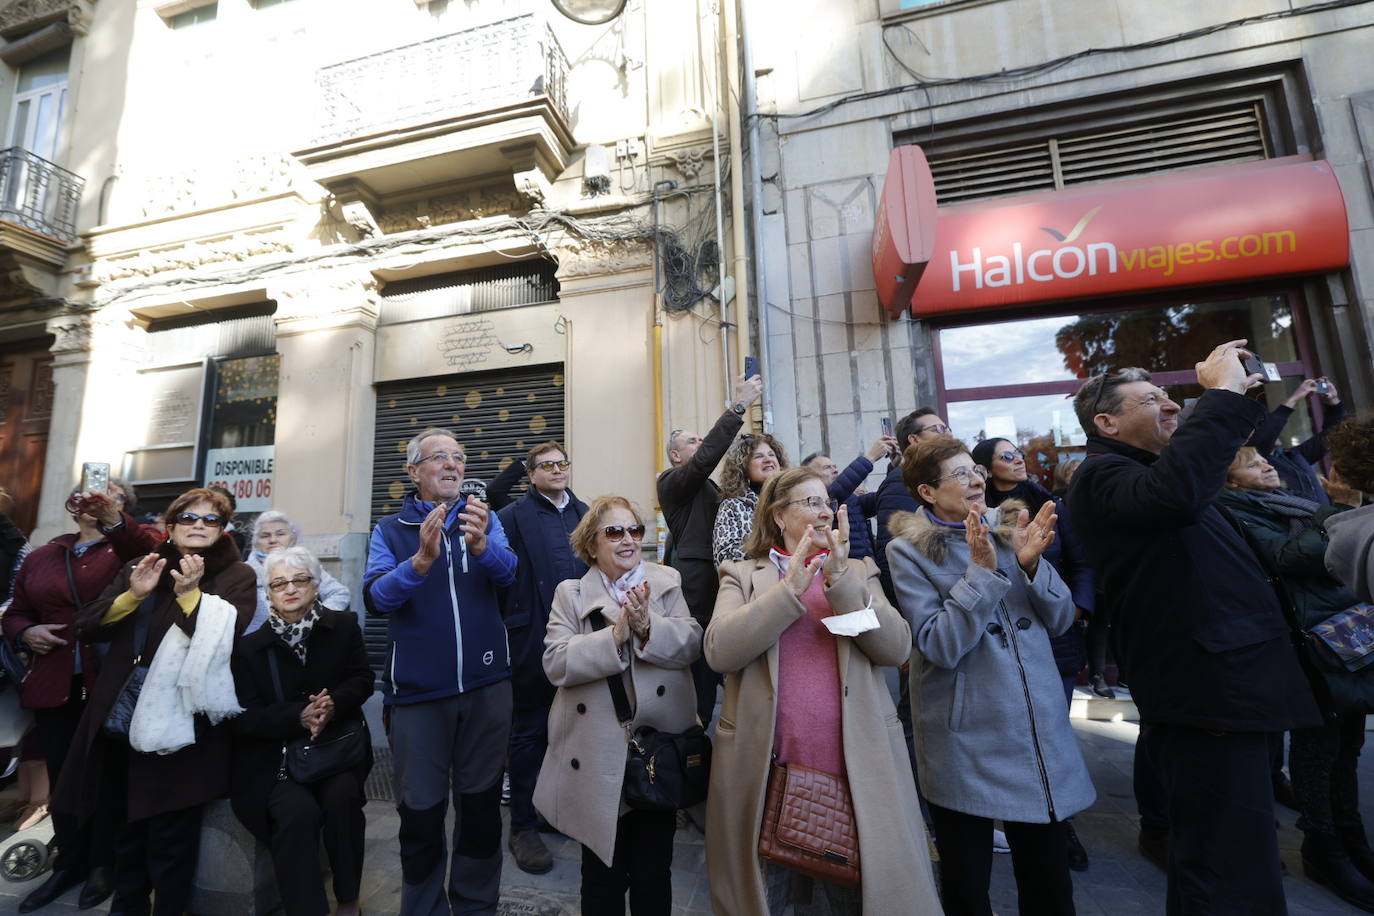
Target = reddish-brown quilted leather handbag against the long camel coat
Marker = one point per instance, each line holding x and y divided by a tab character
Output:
810	825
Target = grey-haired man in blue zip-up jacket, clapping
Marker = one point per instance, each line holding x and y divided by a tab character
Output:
435	569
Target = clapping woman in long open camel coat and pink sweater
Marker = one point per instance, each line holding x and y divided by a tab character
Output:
799	696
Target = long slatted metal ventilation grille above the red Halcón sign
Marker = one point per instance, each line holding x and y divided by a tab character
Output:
1144	146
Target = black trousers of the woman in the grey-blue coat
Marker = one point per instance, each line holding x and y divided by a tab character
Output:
1039	860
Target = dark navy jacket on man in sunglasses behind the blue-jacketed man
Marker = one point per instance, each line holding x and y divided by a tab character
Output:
539	535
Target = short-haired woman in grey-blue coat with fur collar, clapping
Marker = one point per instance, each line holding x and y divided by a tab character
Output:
993	729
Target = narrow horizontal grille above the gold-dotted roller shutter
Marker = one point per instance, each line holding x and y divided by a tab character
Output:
505	286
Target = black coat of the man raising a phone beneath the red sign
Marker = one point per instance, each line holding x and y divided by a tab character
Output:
1199	630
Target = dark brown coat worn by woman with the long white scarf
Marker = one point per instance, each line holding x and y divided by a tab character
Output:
157	783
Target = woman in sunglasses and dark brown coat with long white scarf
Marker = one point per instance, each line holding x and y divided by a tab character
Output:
192	598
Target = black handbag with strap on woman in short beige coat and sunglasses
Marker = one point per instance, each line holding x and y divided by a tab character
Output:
664	771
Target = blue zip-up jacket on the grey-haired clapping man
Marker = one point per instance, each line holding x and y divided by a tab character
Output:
446	634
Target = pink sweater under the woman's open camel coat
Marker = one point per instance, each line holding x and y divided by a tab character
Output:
809	727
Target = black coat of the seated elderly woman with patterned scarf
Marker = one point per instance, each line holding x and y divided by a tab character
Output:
336	659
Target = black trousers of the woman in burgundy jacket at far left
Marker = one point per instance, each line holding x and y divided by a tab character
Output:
80	847
